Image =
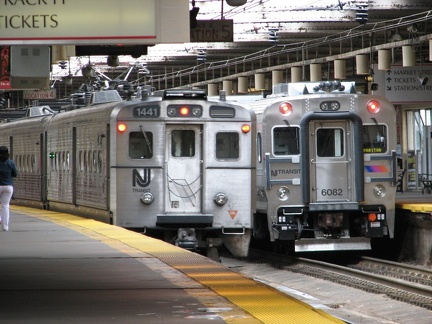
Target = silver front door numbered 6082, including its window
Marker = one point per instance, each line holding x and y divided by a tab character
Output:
331	155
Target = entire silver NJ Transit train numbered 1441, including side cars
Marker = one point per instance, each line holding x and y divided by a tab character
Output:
174	165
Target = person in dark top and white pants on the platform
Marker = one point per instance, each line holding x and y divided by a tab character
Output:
8	171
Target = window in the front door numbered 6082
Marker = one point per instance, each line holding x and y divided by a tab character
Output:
330	142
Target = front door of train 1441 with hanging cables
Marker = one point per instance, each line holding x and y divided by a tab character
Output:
183	169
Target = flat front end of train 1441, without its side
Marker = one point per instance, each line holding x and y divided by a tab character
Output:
183	171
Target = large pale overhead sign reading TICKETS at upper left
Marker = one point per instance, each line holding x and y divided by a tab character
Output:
89	22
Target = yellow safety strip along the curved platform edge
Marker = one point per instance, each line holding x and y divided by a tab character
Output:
263	302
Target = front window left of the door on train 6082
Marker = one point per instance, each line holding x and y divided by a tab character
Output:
286	141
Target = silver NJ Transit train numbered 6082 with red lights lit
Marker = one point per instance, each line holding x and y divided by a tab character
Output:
326	167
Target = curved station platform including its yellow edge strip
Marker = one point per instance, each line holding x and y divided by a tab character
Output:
58	267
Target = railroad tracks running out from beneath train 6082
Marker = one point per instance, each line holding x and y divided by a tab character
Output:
406	283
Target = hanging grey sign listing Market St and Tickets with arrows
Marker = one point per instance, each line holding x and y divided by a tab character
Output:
405	84
